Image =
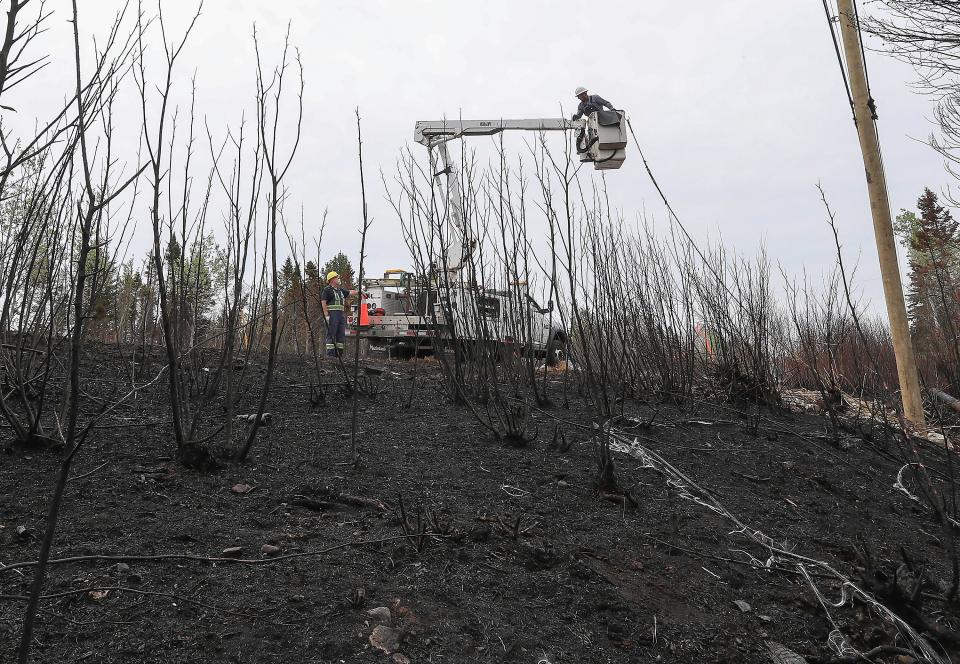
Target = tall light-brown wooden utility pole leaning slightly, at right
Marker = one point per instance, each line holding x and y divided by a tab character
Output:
880	208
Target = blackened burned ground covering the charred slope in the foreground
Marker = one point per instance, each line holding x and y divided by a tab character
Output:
508	555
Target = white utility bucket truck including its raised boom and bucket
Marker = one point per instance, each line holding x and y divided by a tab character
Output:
408	313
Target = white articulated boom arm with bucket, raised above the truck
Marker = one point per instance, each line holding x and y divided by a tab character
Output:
602	141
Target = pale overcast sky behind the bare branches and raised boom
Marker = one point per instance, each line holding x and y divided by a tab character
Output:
740	108
